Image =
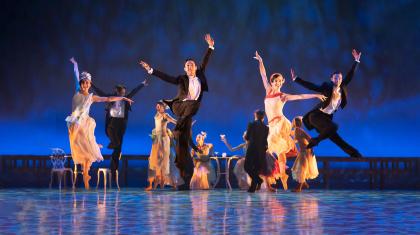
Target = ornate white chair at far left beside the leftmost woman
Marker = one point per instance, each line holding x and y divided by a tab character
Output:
58	160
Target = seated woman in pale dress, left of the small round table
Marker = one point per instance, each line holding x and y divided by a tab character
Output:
204	174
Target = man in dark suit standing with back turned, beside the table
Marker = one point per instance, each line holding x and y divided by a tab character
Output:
255	158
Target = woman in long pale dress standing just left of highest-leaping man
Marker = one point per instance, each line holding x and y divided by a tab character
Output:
159	165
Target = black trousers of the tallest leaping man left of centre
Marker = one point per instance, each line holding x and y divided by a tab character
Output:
184	111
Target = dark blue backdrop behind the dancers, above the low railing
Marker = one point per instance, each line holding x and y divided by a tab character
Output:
107	39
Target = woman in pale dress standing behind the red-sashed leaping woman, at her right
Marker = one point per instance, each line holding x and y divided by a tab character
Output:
305	166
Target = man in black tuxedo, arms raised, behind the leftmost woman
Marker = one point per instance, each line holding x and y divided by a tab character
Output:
116	120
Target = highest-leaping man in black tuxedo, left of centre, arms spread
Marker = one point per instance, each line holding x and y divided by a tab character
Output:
185	105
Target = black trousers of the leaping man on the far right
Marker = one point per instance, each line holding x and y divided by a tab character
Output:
328	129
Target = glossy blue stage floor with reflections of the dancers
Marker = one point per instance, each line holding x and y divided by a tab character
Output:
133	211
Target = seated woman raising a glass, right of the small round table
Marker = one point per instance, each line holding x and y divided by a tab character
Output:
244	181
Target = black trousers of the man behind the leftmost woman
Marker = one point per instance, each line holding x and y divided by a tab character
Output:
115	131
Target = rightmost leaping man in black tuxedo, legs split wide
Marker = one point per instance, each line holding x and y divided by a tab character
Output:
321	116
